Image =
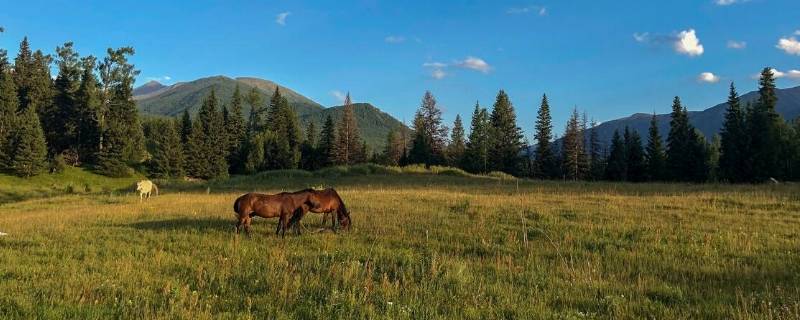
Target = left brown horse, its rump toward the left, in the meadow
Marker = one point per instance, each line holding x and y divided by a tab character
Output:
282	205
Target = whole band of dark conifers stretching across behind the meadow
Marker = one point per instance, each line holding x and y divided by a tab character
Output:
86	116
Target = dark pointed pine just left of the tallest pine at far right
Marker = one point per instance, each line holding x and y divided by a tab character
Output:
733	164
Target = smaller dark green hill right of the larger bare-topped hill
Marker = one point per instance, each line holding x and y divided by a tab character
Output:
373	123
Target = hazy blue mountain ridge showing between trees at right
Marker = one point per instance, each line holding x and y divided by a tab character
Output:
708	121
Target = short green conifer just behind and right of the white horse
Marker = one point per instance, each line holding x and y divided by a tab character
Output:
167	155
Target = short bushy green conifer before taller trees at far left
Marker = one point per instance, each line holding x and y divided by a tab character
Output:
27	147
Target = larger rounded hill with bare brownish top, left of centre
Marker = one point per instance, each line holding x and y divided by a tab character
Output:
171	101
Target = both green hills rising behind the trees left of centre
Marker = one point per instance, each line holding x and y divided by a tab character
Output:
153	98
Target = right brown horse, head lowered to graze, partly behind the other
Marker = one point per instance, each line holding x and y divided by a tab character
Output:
326	202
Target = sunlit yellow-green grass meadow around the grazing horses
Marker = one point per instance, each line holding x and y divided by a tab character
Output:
423	246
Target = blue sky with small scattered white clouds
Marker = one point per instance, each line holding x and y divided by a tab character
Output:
609	59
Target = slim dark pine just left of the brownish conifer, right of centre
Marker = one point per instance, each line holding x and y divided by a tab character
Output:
545	162
